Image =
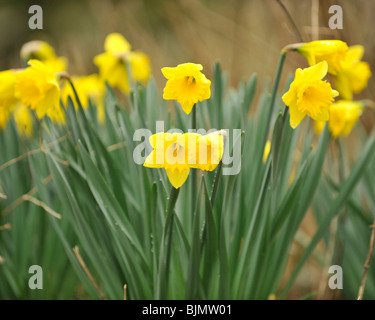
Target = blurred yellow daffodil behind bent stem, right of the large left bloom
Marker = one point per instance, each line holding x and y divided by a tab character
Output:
89	88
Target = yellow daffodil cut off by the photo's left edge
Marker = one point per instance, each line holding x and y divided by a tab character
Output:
7	98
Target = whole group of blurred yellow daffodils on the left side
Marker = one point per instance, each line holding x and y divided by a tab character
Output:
38	87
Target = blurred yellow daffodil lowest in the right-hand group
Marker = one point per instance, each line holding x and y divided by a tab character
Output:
343	115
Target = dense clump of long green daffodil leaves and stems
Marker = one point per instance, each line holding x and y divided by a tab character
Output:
132	228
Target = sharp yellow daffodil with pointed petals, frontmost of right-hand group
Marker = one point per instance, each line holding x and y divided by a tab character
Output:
309	94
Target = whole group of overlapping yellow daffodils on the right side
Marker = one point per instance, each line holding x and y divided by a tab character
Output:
310	95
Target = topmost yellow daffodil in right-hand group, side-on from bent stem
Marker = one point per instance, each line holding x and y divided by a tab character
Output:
332	51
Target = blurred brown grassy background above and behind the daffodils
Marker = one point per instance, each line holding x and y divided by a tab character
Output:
245	36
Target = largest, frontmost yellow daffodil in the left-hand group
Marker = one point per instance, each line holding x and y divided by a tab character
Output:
37	88
